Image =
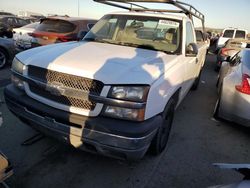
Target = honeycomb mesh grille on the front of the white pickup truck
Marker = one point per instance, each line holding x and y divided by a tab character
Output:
72	85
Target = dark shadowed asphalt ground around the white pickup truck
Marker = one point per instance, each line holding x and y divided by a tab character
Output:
196	142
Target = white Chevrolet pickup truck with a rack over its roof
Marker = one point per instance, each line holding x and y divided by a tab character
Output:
115	91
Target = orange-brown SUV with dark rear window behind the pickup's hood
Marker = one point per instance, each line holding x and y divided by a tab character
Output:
60	29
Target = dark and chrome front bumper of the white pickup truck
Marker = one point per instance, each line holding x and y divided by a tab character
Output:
107	136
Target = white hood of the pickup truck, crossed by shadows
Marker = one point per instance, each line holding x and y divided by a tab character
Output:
111	64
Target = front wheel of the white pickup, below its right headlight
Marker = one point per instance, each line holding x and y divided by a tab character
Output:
160	140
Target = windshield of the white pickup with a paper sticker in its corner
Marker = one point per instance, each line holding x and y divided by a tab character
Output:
138	31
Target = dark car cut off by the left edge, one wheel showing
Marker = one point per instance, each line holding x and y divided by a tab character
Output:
7	51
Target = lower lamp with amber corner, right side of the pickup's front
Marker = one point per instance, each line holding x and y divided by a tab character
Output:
125	113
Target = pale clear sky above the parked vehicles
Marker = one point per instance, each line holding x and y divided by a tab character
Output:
218	14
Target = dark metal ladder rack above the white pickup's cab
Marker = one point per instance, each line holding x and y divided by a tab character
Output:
132	5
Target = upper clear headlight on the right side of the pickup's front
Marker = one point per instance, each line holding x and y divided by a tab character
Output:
130	93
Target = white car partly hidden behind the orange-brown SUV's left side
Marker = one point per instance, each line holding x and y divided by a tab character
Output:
23	35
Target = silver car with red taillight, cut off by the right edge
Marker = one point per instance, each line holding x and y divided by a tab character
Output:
234	89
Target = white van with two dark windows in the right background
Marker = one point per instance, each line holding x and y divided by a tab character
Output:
231	33
